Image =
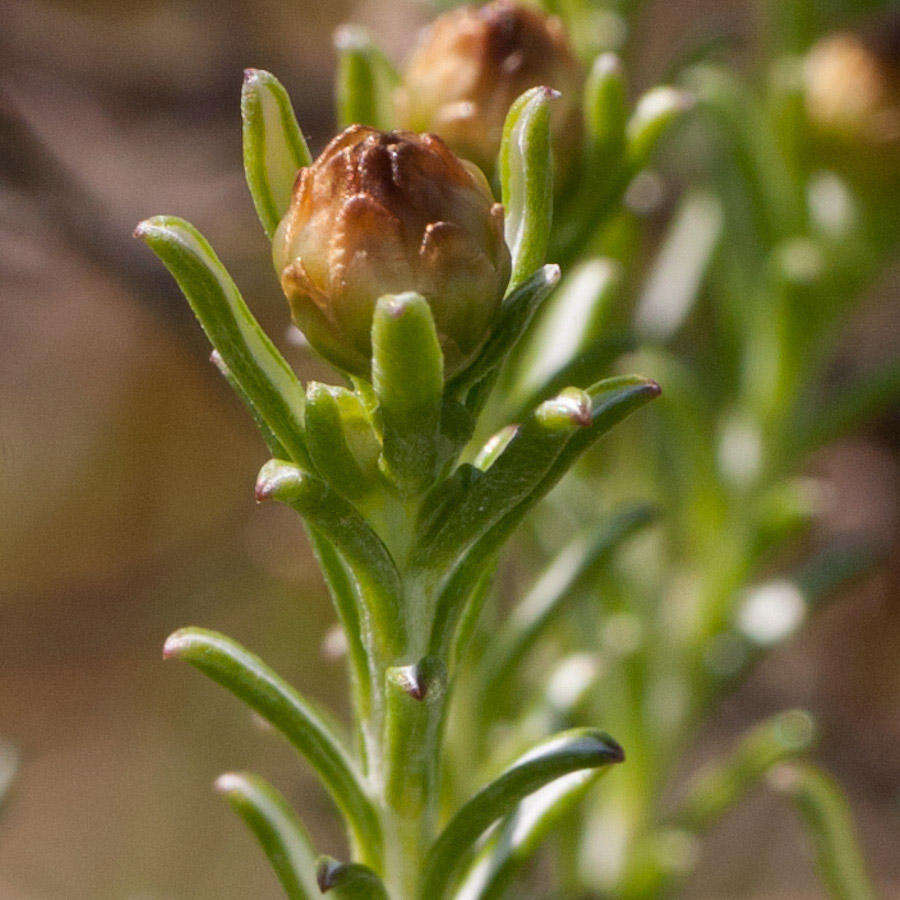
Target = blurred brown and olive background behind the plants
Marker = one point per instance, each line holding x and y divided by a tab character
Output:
126	469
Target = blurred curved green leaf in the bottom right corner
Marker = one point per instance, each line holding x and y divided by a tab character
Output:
828	821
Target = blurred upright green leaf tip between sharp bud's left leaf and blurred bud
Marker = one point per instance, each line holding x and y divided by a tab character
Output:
365	80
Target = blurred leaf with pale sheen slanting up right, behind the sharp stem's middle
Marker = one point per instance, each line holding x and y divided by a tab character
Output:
557	586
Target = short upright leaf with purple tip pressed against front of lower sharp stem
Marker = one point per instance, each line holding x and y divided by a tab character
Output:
413	715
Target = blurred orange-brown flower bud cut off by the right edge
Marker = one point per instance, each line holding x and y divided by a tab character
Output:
852	85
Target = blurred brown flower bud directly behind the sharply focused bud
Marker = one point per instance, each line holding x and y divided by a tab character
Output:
473	62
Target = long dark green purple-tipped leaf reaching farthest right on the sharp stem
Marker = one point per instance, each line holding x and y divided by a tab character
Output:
610	402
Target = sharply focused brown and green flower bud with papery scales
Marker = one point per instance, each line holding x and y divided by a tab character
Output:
381	213
